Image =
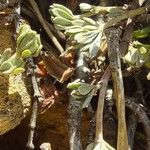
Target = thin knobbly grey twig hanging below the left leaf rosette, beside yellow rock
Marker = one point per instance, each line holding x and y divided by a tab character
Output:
37	98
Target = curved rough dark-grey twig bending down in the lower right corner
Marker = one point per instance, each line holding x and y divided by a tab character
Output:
139	110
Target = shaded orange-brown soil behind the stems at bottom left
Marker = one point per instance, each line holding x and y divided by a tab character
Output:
52	127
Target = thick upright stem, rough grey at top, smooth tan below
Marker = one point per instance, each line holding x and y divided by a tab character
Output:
113	37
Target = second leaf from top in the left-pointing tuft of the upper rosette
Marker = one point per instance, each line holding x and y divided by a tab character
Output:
57	12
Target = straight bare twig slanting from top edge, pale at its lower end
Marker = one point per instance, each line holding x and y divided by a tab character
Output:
42	21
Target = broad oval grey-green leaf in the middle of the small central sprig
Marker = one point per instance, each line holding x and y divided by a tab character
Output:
85	88
